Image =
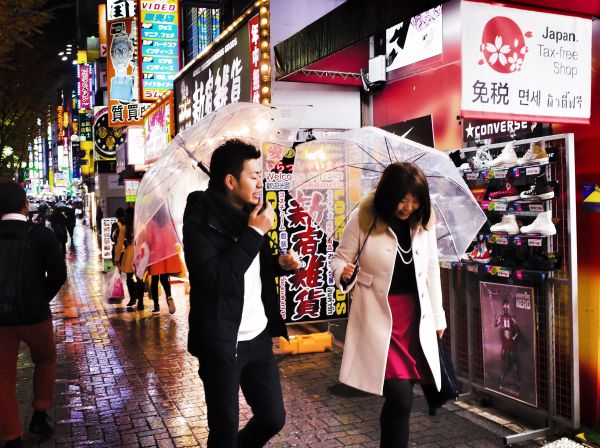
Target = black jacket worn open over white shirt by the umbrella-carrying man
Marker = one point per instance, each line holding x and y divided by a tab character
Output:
219	248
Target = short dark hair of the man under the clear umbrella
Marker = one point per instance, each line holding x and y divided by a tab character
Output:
229	159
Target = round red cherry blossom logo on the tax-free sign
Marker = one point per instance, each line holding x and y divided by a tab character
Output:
503	45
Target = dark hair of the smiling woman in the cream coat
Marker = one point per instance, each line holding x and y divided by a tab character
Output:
397	180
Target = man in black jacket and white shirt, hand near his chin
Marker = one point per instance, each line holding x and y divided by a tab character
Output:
234	309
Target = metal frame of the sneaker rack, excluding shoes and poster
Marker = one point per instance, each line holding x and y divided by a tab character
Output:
556	304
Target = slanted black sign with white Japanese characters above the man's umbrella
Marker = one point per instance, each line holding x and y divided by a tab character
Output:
221	77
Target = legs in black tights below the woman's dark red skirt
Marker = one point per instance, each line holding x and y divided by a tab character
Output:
395	413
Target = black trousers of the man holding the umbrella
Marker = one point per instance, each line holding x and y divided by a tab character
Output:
255	371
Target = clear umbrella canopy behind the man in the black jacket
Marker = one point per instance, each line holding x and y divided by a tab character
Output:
182	168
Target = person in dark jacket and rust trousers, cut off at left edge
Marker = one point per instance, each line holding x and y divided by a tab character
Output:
35	329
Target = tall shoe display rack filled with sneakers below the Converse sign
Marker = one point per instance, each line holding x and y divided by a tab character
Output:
537	177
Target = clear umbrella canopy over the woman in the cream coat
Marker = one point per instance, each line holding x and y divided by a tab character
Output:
359	157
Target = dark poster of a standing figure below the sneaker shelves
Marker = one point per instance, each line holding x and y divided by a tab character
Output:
508	326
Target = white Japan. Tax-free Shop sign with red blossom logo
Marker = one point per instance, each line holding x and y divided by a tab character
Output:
527	64
